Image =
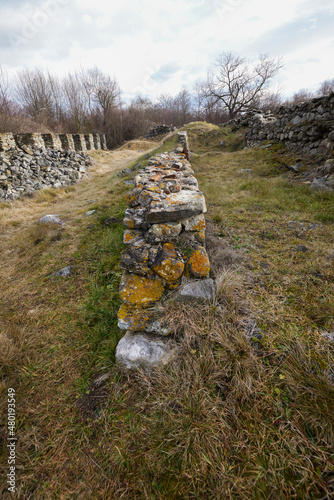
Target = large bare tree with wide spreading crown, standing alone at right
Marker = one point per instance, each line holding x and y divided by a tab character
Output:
236	84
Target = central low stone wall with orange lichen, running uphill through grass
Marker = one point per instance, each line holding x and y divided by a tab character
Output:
165	257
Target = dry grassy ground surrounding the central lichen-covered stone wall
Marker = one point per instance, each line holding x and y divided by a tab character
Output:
246	411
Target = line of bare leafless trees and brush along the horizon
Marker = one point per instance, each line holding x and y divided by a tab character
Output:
89	100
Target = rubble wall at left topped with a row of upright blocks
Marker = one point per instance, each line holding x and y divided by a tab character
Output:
29	162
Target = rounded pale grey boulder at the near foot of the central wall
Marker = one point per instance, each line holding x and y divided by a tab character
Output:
141	350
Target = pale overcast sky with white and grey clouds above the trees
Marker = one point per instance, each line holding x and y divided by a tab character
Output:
155	47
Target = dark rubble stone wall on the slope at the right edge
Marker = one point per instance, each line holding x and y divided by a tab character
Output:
307	127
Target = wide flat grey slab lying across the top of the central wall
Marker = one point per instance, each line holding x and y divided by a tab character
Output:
176	206
